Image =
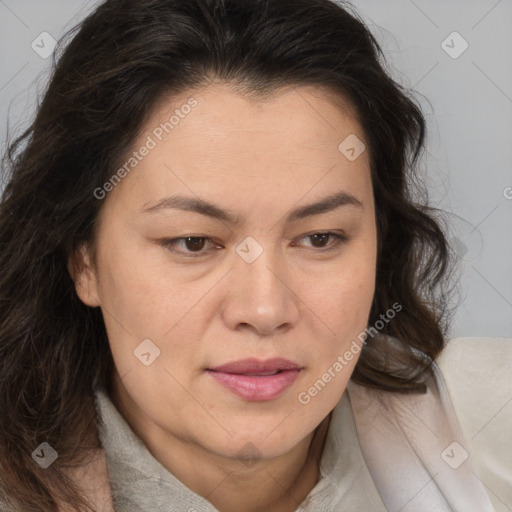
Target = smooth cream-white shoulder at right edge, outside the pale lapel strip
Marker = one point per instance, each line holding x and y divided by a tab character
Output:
478	375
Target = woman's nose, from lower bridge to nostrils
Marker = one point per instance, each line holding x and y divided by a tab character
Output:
260	296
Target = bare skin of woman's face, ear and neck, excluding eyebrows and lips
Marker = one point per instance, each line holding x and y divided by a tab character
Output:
258	159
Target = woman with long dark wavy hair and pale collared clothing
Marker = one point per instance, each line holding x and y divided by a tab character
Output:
209	236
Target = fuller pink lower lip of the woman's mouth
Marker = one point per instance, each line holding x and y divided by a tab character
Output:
254	388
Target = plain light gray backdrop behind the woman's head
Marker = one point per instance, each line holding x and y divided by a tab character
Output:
467	100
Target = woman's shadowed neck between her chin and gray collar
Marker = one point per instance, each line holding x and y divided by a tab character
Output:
276	484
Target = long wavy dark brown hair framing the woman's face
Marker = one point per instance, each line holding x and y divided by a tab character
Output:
120	60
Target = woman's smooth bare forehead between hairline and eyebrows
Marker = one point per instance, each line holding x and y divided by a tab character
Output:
213	140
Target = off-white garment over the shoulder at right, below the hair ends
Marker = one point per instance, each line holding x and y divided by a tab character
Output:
416	448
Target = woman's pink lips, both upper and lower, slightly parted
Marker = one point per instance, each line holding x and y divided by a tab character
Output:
241	377
